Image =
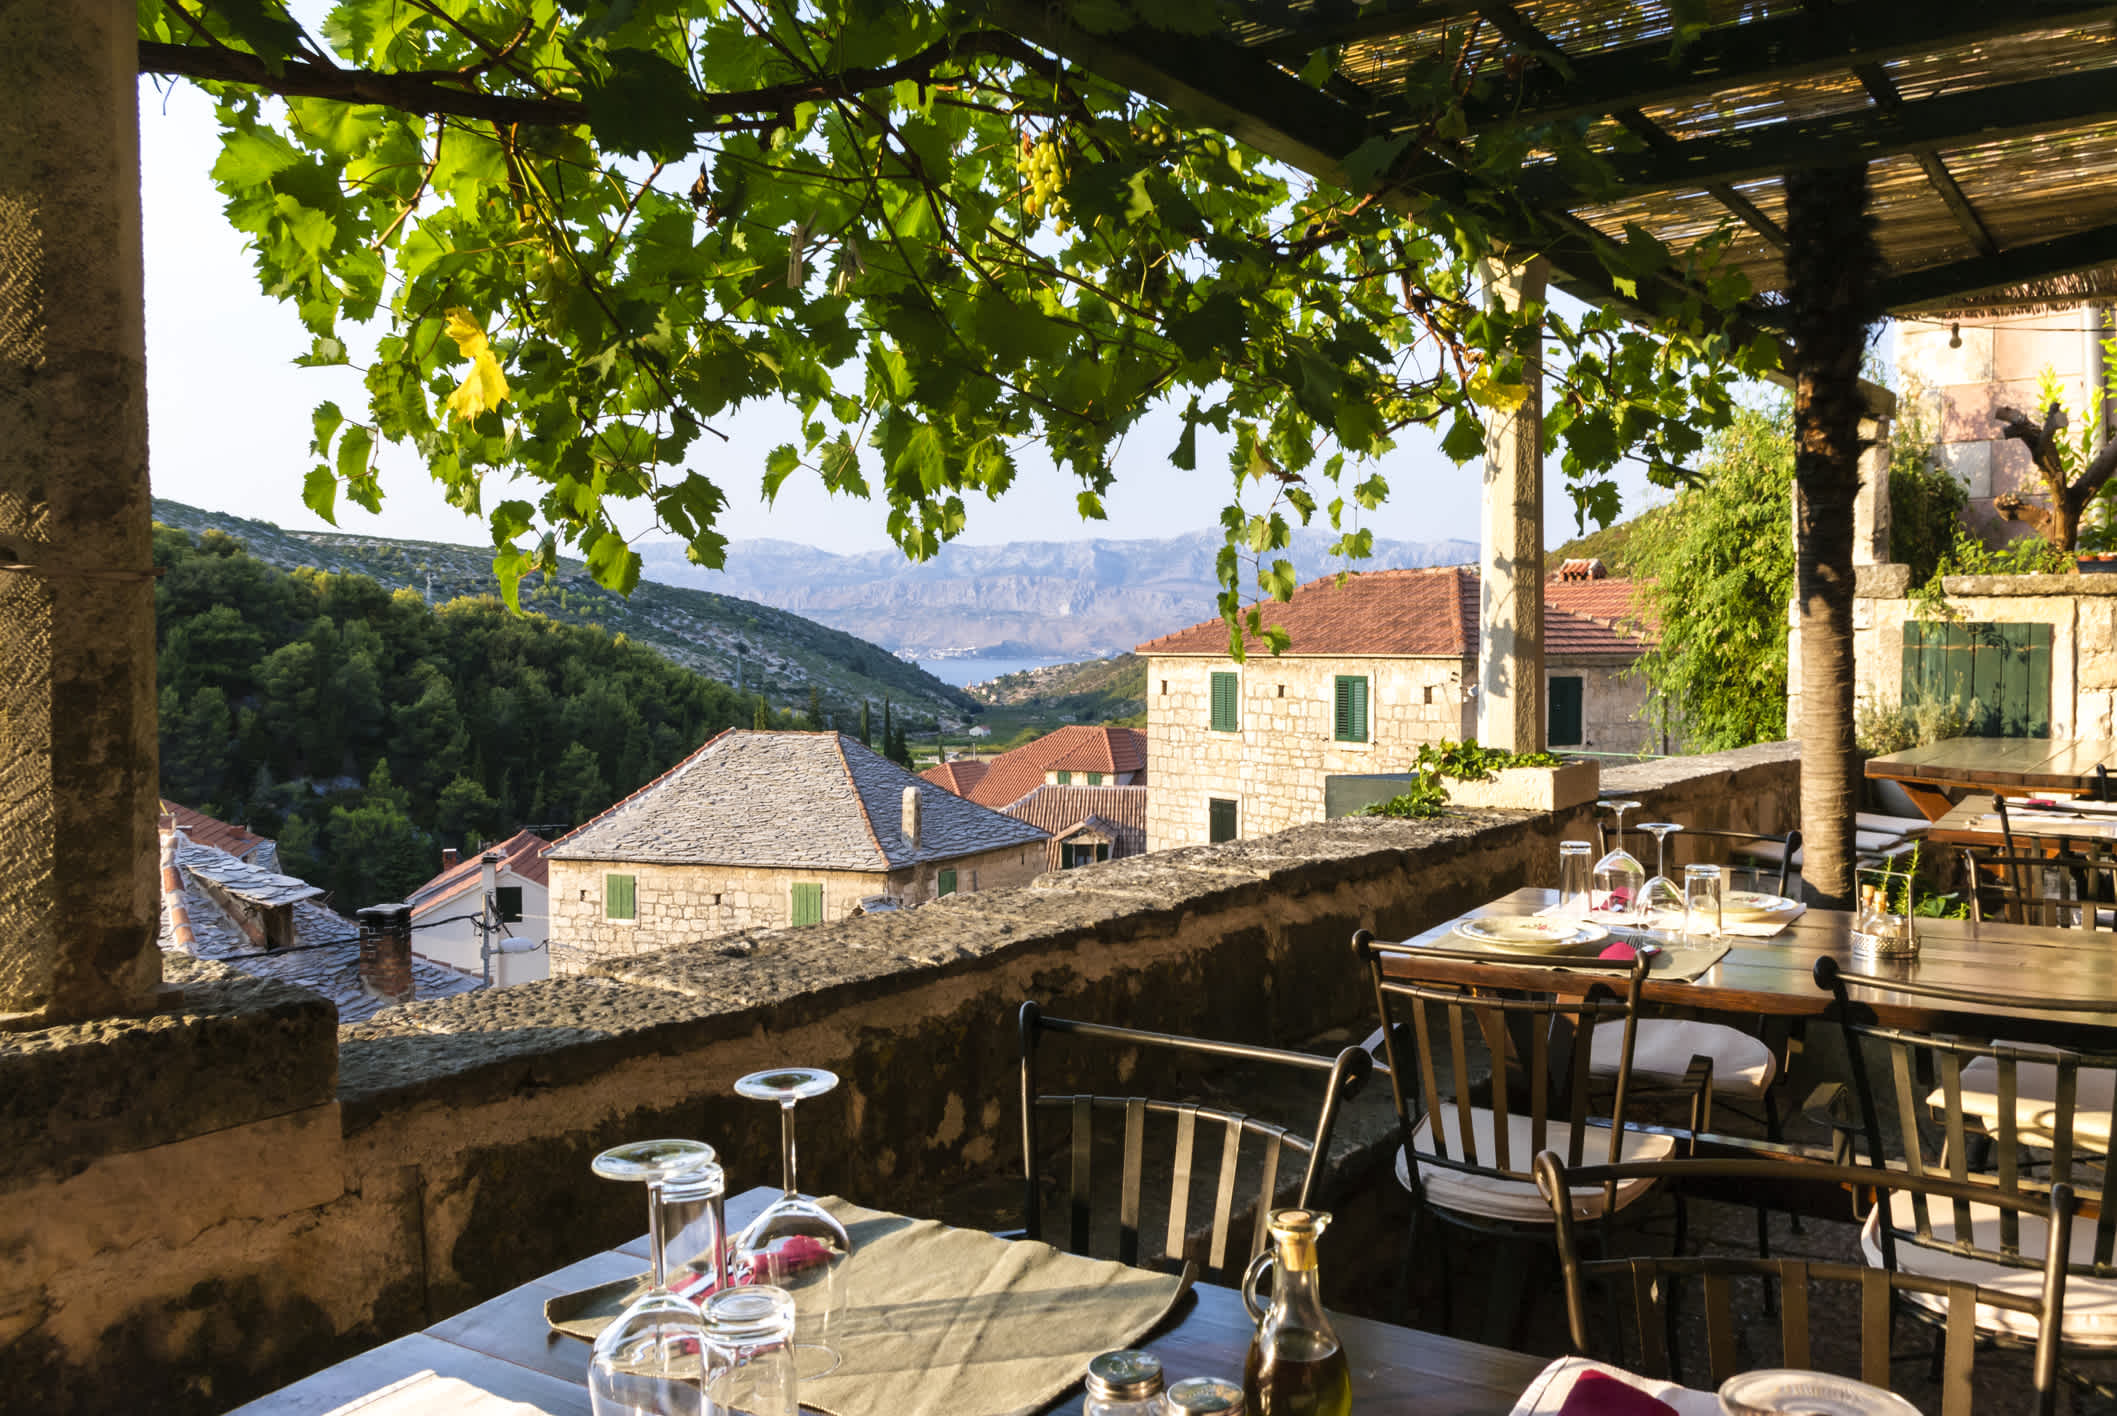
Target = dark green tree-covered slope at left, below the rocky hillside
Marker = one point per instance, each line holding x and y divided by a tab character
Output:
367	729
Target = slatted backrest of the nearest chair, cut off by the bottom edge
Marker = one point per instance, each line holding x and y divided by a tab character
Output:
1644	1286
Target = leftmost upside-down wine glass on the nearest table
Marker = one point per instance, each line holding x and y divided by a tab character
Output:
651	1362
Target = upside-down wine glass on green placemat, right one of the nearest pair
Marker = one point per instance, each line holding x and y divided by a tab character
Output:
795	1243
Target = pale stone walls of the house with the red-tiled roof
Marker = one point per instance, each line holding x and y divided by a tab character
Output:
1273	767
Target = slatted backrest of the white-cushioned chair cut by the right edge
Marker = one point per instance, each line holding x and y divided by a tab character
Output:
1987	1112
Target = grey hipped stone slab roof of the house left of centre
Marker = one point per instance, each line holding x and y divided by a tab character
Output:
789	801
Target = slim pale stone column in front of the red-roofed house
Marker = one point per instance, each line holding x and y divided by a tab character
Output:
1510	545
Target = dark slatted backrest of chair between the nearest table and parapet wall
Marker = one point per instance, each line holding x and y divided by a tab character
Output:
1252	1152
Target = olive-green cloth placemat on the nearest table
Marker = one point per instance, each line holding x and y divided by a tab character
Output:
945	1322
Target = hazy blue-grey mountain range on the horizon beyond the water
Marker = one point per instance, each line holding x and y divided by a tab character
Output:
1026	600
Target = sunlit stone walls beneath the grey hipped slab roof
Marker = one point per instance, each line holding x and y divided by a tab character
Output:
683	905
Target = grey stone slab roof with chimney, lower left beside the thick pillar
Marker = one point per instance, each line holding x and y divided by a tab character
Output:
327	945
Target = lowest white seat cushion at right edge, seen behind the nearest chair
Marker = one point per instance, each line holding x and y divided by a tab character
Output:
2091	1303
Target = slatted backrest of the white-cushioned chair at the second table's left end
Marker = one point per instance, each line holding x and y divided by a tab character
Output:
1546	1023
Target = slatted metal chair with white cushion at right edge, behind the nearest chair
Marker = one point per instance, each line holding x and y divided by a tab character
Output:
1989	1114
